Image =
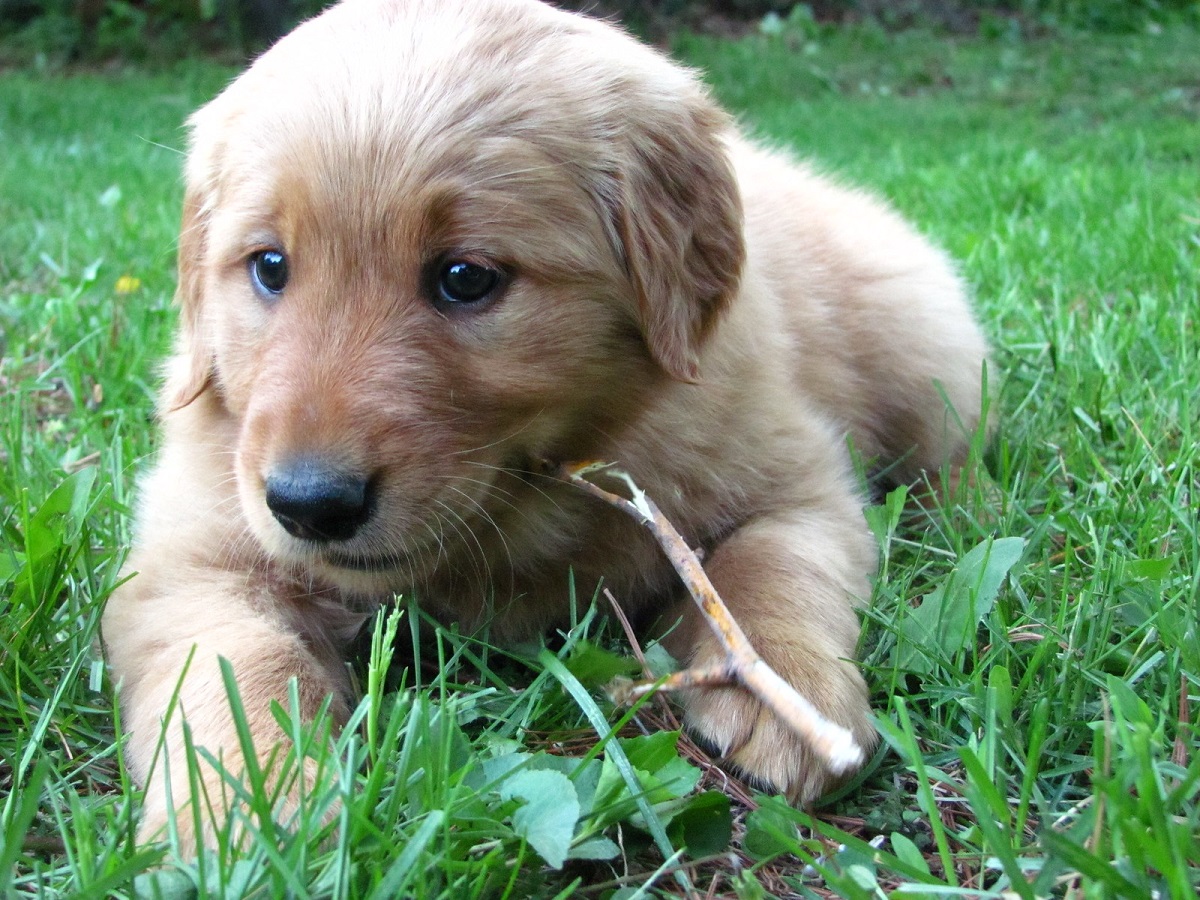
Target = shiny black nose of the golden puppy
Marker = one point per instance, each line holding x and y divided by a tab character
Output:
317	502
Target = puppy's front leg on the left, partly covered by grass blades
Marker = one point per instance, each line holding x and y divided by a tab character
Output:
151	629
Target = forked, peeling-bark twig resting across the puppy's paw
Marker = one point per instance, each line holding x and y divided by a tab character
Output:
743	665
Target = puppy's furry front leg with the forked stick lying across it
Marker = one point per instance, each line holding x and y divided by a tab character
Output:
791	581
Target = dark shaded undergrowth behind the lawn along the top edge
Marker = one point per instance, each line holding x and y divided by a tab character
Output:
111	32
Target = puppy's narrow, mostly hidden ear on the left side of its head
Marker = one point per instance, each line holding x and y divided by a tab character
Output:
191	369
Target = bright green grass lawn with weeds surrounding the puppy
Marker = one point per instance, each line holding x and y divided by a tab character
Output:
1033	645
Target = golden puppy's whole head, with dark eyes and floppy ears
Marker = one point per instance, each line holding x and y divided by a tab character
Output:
425	244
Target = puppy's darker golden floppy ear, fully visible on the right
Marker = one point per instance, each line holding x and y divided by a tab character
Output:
680	224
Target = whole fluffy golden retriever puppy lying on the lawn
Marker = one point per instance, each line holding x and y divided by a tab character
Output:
429	245
